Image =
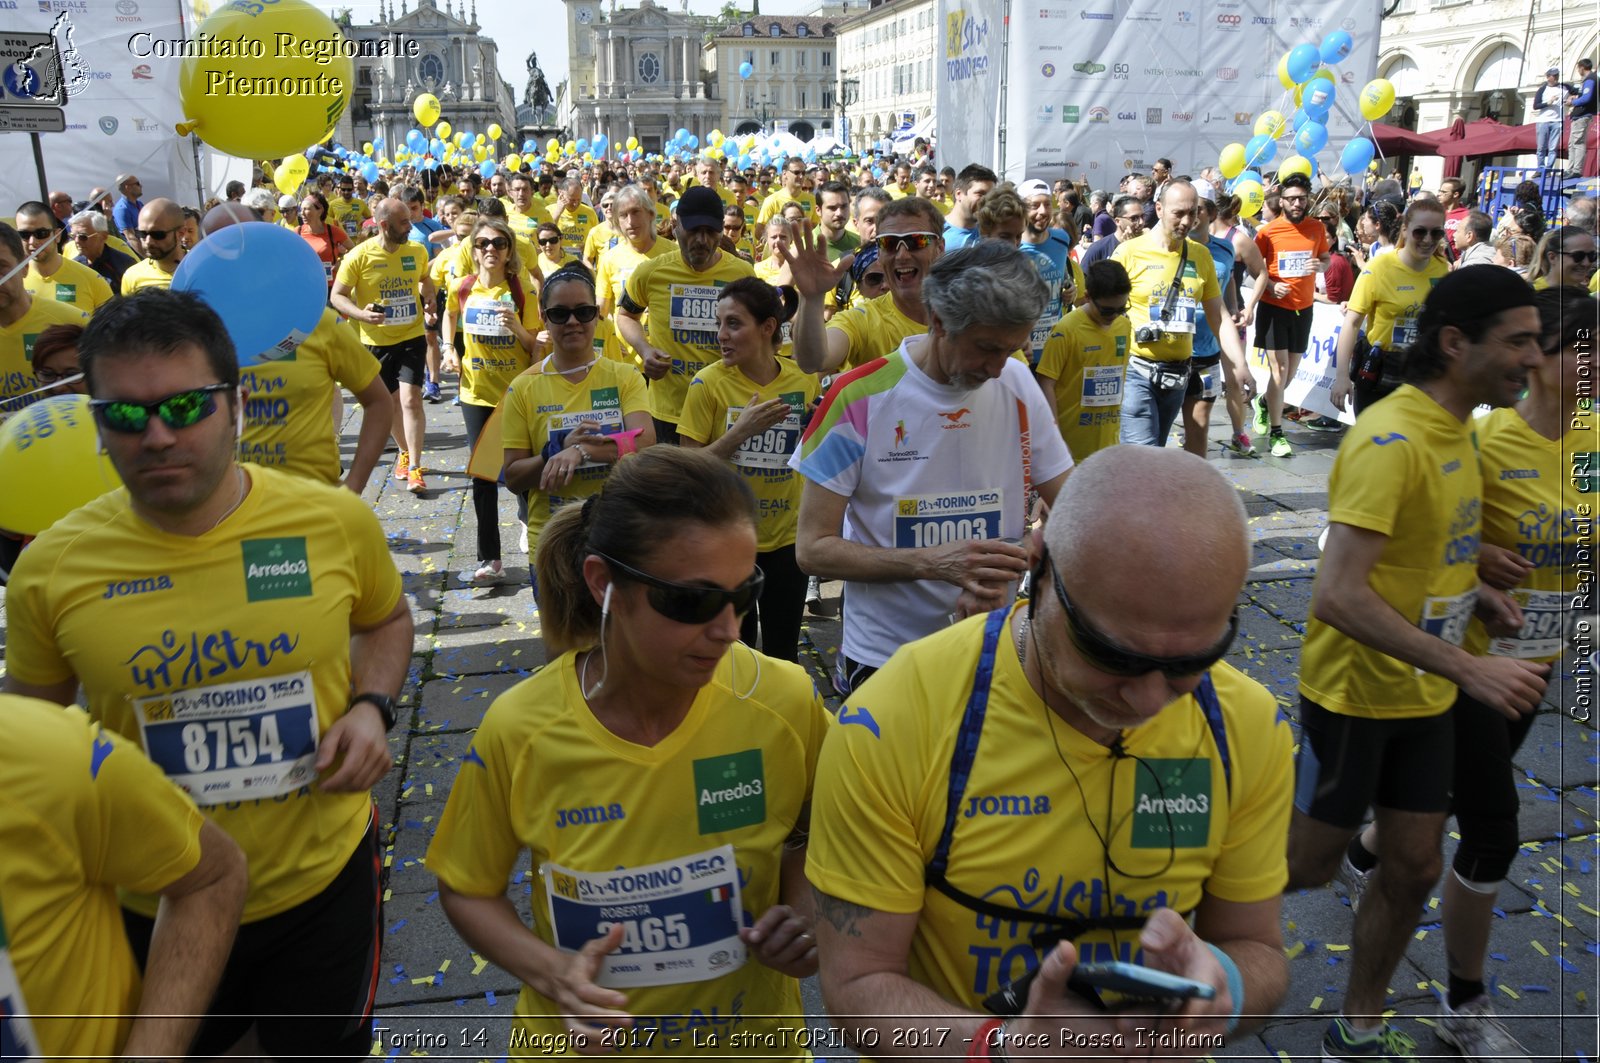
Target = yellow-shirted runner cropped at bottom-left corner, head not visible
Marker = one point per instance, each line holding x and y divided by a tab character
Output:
108	820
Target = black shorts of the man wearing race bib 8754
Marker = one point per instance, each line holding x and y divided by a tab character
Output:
308	977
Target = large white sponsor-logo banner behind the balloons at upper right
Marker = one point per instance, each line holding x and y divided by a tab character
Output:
1098	89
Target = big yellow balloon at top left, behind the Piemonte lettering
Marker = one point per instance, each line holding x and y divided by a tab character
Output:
225	98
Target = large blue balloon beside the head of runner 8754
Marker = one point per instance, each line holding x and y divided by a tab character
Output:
226	271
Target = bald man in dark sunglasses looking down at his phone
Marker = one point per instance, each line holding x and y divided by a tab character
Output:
1094	737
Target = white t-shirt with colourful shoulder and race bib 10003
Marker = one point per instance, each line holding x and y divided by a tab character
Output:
926	463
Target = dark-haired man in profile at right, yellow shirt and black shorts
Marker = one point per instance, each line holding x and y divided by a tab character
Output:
1383	660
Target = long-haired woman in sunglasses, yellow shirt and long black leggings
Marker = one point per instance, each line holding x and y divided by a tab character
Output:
498	316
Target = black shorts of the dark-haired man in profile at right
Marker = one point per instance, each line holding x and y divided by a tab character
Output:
1353	763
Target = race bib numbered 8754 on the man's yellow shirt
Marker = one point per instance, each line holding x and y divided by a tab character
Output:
234	742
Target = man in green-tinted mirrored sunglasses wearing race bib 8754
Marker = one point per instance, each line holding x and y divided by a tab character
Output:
222	617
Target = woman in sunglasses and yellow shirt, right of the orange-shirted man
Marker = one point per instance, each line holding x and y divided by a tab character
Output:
1385	308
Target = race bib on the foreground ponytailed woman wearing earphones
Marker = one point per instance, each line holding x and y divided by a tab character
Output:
681	918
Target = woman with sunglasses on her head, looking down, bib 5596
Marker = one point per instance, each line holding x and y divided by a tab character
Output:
750	411
